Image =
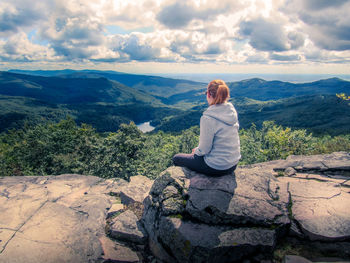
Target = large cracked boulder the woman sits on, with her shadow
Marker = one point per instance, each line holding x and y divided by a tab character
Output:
191	217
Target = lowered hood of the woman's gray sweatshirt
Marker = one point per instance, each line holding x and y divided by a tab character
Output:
224	112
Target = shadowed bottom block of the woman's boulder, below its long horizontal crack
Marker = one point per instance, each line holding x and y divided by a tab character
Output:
193	242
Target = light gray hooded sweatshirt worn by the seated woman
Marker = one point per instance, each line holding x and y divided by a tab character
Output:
219	139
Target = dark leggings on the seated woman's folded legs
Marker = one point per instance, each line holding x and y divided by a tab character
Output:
196	163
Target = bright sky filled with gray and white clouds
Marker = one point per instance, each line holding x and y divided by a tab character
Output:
167	36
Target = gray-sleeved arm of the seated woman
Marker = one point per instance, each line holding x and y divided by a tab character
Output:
206	136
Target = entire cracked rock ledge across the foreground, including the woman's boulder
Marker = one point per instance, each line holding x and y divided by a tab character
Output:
263	212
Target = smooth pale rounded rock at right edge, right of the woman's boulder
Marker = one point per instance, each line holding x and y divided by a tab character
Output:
319	207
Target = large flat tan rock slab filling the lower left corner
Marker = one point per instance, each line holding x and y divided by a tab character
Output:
53	218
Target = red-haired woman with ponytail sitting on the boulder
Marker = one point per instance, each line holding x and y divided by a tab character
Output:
218	151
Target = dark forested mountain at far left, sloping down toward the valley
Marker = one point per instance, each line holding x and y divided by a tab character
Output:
101	102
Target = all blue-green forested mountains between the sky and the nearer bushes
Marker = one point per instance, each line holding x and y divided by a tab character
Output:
100	98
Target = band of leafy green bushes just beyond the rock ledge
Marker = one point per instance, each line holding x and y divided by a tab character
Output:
65	147
